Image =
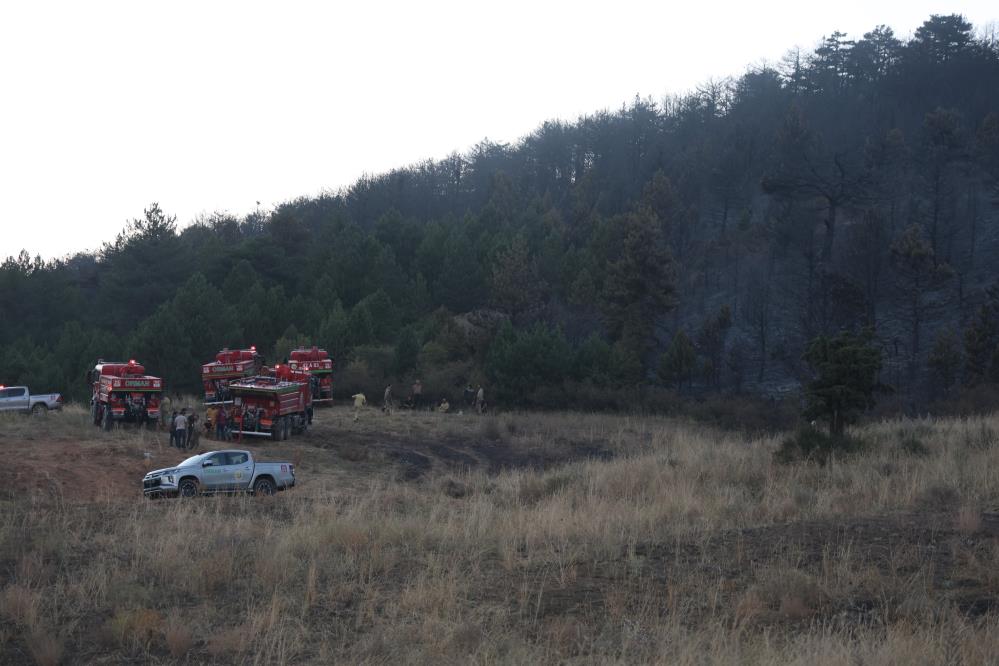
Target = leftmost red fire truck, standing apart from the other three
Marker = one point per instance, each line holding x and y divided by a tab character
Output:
124	392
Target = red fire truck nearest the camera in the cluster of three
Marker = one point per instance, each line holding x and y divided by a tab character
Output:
272	406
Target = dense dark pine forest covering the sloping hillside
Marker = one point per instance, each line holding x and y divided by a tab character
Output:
689	246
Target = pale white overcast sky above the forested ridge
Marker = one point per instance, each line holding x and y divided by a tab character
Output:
106	107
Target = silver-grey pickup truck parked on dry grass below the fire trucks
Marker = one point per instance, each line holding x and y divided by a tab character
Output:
219	472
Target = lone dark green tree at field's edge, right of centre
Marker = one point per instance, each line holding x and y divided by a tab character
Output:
846	369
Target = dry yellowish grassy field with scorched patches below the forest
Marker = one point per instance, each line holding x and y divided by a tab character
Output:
519	538
